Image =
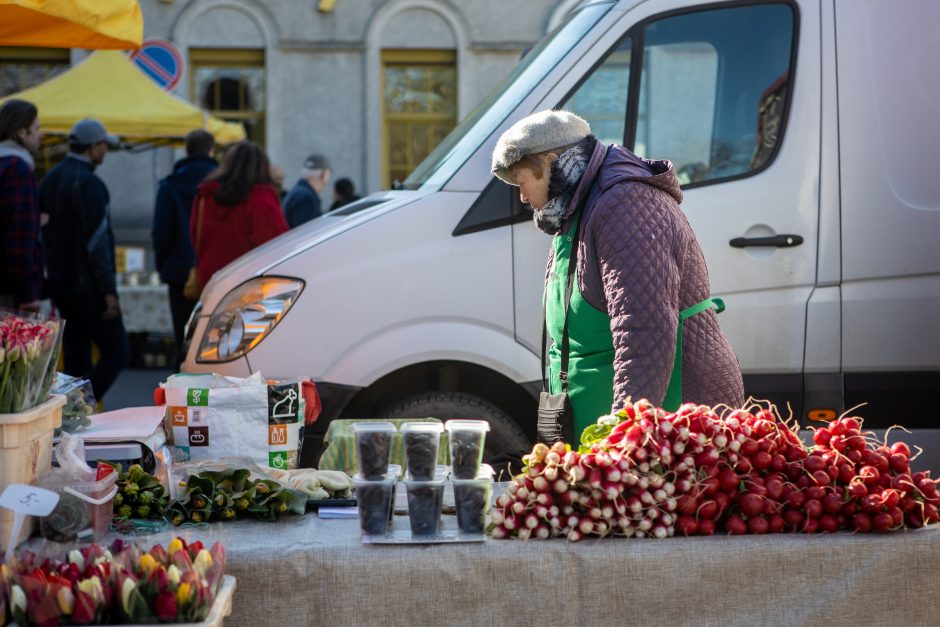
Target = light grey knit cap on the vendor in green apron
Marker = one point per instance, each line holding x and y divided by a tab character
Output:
539	132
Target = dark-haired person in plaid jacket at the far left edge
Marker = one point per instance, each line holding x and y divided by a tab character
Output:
21	261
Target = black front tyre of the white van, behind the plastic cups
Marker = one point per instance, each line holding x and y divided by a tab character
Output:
504	436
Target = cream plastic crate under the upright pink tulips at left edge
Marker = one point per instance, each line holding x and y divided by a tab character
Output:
26	453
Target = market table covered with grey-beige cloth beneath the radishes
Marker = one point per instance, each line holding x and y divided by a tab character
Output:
316	572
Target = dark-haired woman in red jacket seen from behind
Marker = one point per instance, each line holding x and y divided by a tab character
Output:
235	210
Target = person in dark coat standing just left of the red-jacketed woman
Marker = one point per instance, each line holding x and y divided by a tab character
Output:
172	247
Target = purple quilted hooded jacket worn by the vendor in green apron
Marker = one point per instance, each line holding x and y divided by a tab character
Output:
639	261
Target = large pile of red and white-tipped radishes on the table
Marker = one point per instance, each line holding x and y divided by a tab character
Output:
696	472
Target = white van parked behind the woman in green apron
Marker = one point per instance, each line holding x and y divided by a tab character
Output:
806	134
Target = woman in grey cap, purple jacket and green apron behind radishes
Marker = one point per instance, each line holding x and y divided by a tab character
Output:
638	318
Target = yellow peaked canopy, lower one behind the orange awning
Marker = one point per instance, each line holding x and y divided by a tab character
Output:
108	86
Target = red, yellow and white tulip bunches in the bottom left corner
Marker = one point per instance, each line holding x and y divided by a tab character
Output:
122	584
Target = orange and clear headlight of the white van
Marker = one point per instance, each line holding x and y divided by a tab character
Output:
245	316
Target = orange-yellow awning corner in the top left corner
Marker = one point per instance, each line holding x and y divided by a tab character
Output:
71	23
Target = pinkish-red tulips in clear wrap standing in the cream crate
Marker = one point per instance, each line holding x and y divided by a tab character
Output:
29	349
